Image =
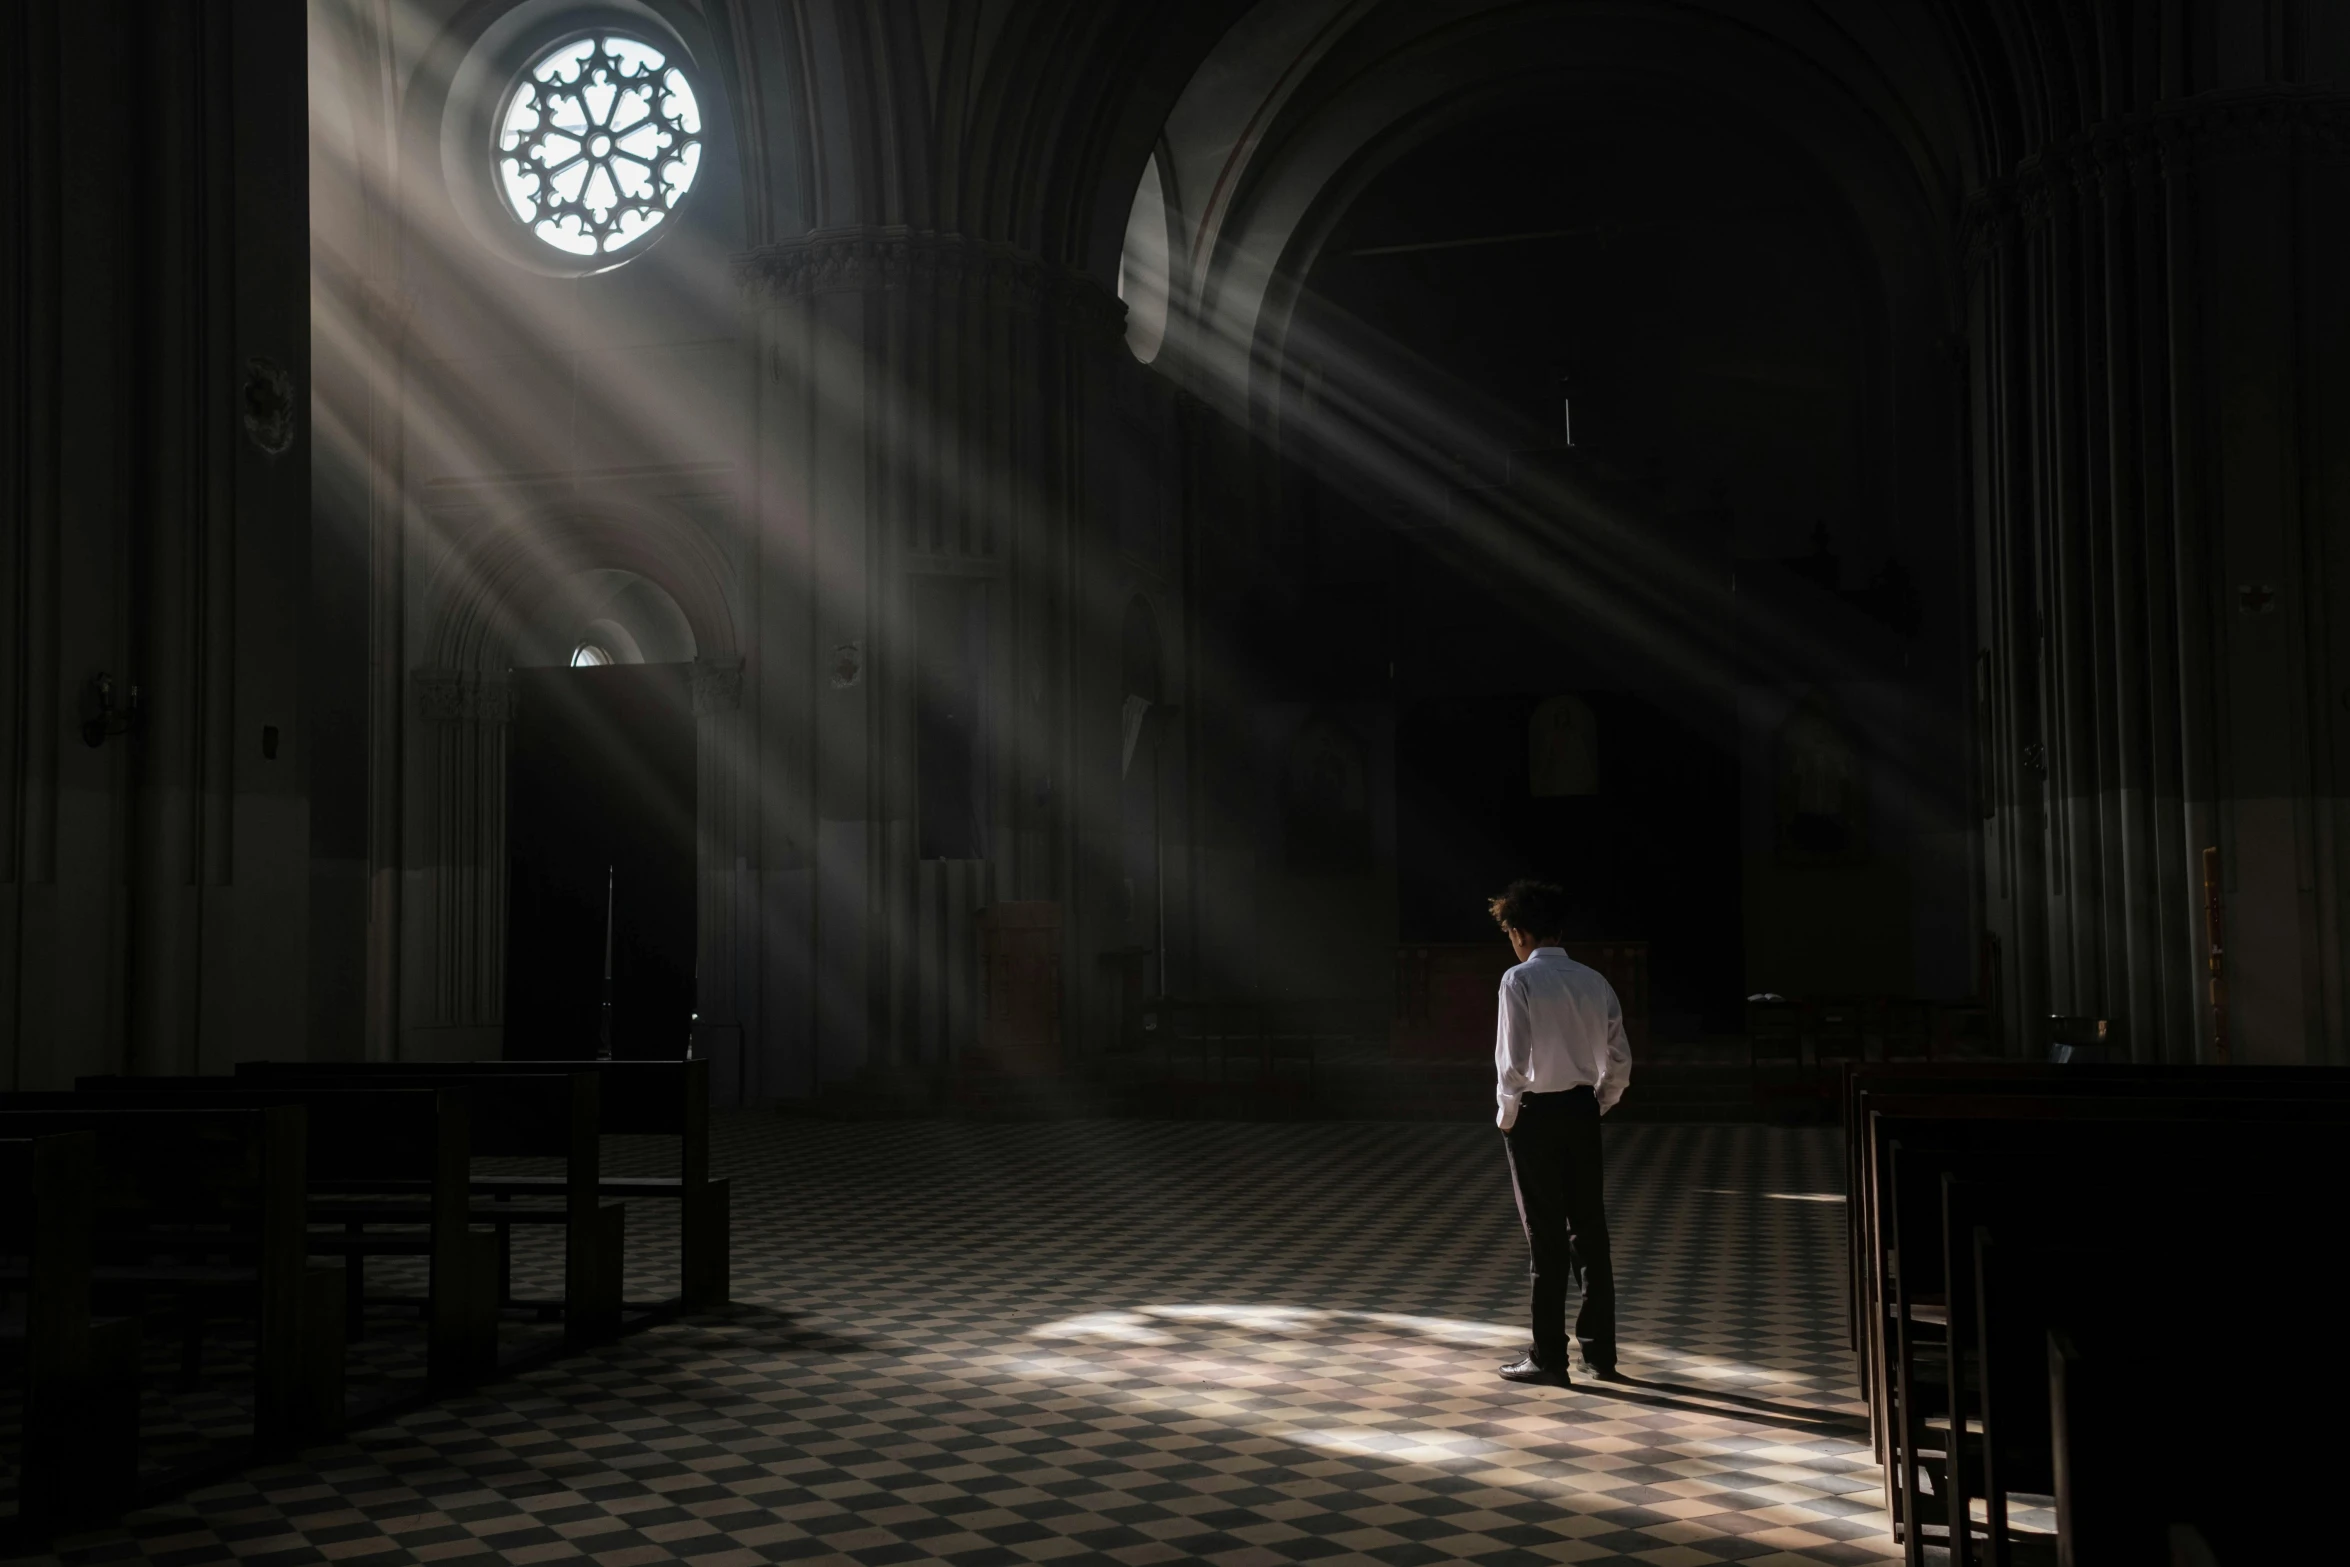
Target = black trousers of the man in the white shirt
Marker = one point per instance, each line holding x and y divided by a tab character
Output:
1555	1162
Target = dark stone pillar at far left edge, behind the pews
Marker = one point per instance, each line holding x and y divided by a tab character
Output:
159	412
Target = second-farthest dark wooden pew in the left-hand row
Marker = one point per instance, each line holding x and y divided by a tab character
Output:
532	1115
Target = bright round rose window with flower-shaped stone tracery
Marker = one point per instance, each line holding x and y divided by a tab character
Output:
598	144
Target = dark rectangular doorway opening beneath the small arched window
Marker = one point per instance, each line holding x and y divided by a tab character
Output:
600	786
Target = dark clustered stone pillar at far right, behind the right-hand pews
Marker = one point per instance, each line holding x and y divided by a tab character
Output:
2156	307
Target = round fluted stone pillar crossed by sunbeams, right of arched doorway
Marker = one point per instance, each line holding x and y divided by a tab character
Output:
922	412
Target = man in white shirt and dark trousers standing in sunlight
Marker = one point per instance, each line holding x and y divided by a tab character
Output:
1562	1063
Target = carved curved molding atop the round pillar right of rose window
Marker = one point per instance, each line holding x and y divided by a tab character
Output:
866	260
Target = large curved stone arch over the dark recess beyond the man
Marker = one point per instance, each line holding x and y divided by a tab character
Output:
1305	102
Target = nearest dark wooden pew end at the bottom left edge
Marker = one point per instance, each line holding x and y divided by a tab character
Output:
81	1373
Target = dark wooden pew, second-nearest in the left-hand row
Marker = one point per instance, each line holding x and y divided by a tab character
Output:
222	1190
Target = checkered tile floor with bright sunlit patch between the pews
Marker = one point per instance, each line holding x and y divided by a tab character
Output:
1146	1343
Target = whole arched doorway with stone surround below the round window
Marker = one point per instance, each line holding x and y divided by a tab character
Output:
582	668
